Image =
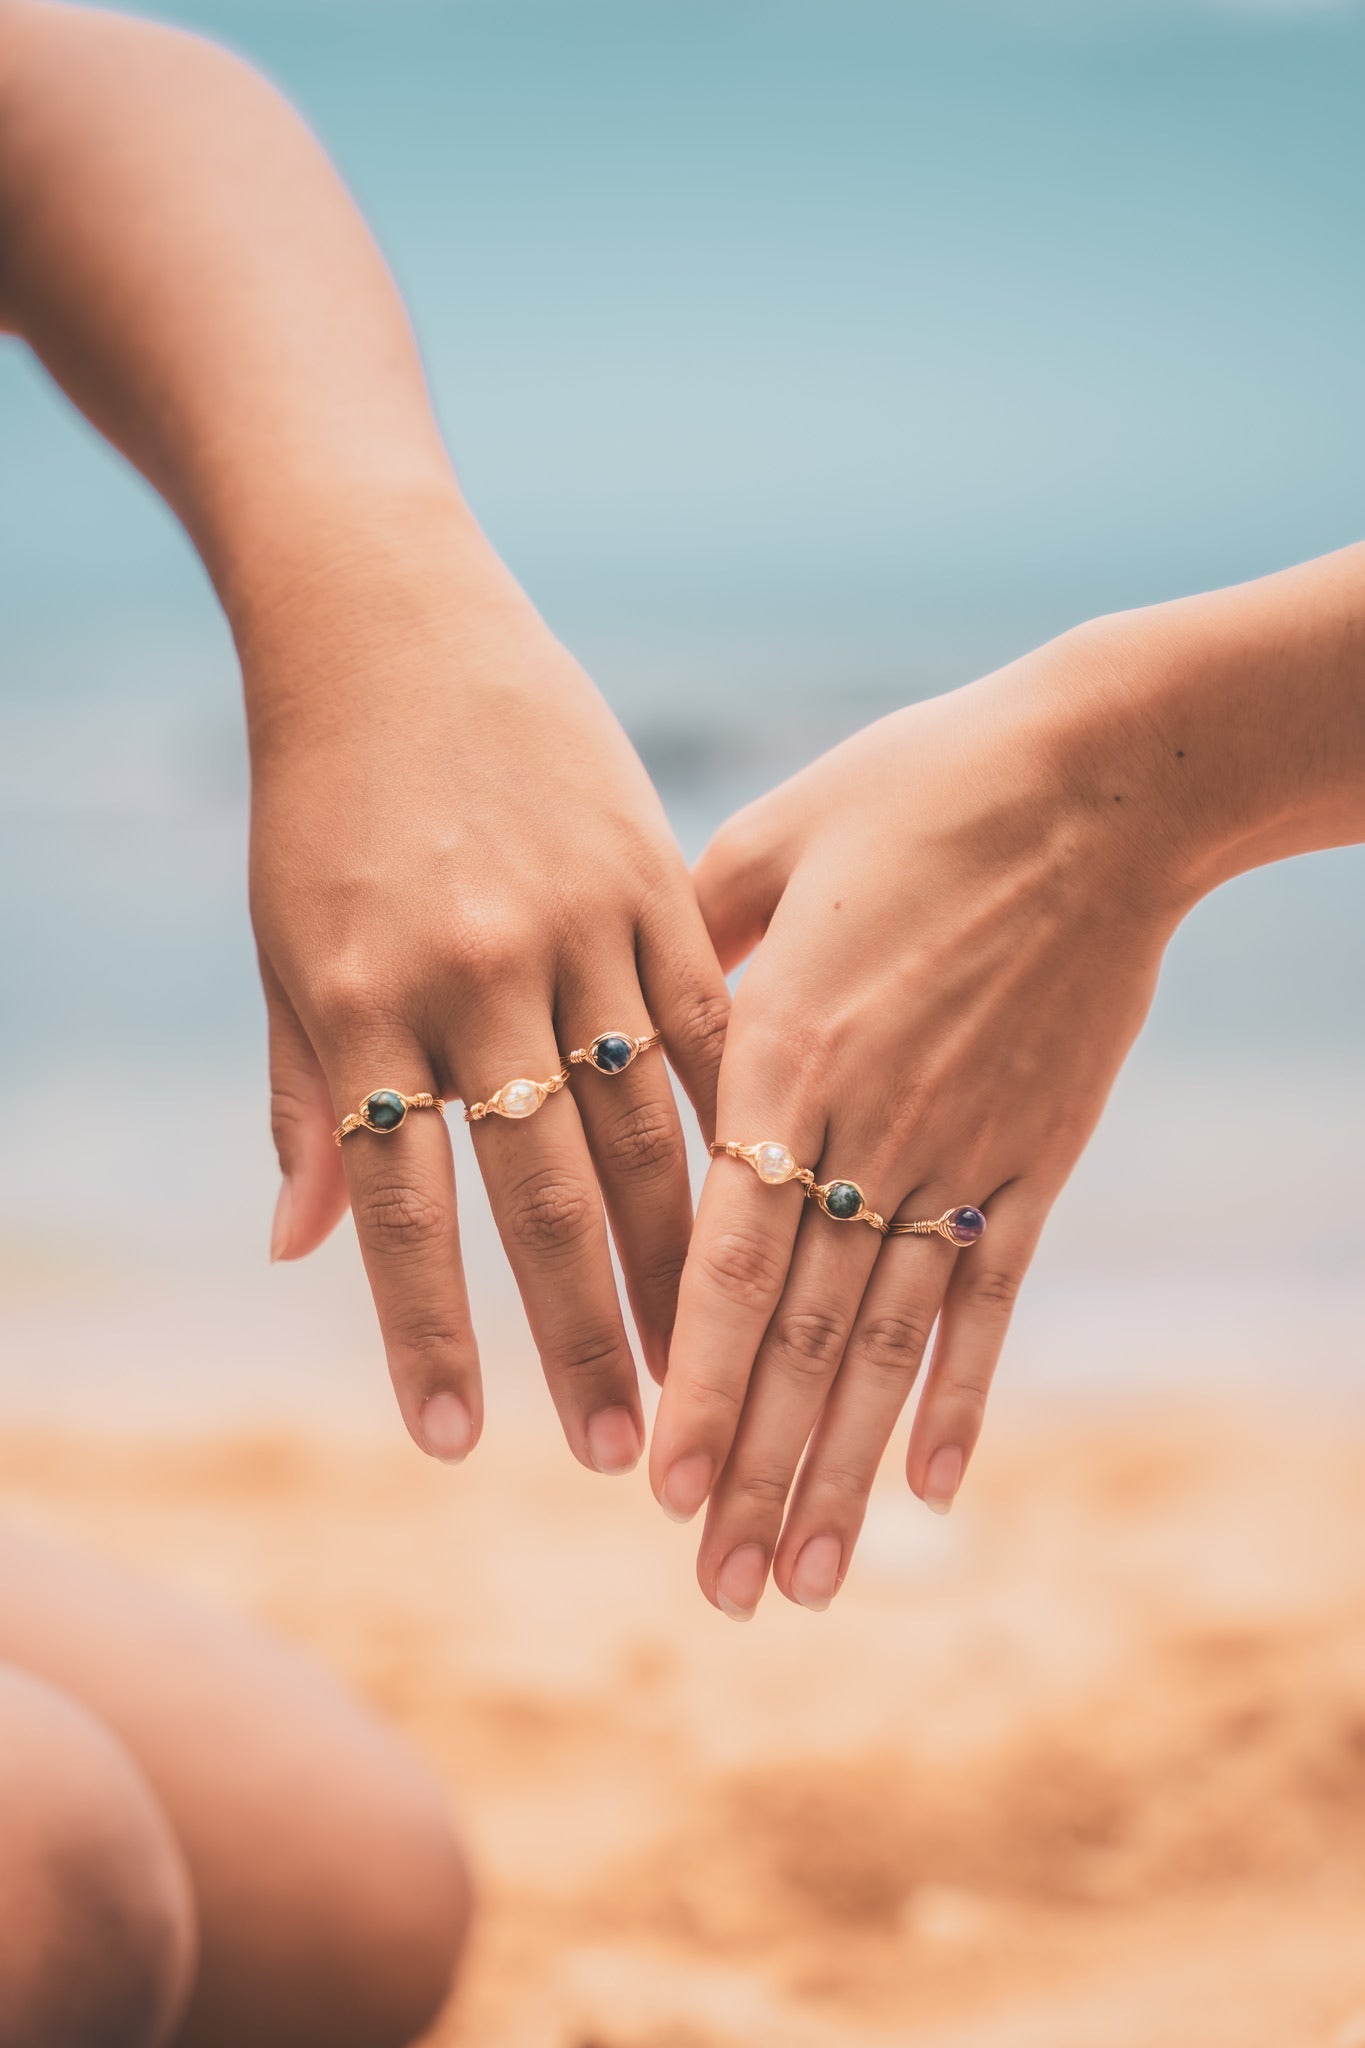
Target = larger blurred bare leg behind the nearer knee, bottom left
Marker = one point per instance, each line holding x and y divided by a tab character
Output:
326	1879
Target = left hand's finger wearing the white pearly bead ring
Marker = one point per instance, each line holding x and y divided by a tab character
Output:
547	1205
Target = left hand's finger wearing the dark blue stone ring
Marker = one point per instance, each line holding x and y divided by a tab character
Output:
637	1148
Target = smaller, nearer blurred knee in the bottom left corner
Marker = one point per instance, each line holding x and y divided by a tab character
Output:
97	1928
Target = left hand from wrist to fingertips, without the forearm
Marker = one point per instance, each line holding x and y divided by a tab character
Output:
461	873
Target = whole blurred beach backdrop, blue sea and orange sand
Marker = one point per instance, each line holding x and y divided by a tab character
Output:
803	361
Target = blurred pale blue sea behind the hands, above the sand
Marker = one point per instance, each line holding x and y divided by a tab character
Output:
803	359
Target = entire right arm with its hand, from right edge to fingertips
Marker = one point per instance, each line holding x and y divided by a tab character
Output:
955	925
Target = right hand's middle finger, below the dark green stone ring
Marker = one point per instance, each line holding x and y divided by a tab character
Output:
795	1369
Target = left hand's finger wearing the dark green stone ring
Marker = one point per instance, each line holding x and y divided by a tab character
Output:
402	1197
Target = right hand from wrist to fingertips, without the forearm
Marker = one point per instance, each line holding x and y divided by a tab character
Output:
955	929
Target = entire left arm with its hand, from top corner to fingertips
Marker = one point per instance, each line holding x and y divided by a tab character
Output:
459	865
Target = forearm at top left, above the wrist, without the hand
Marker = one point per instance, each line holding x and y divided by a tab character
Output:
185	261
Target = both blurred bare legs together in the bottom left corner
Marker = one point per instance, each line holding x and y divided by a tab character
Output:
148	1752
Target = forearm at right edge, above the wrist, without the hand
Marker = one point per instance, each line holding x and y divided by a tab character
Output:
1231	728
